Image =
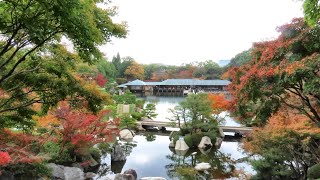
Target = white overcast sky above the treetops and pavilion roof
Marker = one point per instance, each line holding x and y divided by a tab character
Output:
183	31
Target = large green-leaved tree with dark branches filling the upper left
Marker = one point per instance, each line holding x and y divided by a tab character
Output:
34	68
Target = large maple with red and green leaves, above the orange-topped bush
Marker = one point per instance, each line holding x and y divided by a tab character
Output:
282	72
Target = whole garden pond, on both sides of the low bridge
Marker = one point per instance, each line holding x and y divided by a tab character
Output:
149	153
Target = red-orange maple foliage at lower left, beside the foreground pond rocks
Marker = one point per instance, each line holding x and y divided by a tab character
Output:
73	131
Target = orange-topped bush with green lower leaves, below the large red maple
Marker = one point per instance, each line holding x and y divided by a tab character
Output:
289	144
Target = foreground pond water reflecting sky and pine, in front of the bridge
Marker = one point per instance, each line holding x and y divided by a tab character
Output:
155	158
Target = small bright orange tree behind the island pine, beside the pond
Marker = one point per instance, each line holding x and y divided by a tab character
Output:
219	103
